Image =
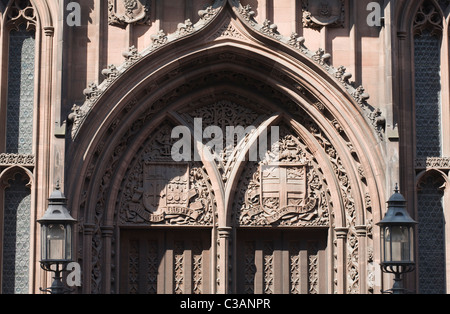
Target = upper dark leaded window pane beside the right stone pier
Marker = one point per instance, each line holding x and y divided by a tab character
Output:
427	54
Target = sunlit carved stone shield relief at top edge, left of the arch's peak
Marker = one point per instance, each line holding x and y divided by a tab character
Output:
124	12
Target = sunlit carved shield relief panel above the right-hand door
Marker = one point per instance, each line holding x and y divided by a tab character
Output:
287	190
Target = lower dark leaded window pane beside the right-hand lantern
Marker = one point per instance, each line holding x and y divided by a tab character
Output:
431	237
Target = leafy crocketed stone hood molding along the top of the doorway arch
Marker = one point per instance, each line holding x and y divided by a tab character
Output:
245	13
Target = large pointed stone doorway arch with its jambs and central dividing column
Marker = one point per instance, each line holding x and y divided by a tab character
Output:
248	67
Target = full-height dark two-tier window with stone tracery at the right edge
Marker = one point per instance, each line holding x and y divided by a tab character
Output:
428	38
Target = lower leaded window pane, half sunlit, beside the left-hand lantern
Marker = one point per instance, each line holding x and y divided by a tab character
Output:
16	237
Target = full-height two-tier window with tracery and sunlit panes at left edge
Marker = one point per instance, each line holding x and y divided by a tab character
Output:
16	151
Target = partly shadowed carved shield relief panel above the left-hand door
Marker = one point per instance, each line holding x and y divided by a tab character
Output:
158	190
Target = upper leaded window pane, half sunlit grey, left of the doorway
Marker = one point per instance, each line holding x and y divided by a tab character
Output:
19	120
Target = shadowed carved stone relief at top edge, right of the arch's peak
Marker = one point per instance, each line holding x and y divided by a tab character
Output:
319	13
